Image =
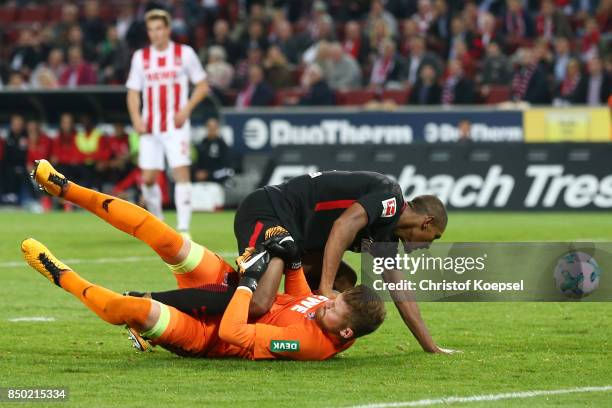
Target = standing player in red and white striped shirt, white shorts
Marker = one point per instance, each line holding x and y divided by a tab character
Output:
162	72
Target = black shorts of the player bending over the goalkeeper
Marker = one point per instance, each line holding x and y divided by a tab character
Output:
254	216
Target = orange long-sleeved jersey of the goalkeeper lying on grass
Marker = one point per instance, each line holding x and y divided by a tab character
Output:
288	331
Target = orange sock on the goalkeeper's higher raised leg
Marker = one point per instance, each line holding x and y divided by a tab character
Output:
128	218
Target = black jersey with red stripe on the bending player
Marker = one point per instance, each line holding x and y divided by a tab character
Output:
308	206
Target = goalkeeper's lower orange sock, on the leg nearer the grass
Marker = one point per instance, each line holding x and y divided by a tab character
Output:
108	305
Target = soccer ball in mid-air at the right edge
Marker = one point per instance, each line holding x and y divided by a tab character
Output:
576	274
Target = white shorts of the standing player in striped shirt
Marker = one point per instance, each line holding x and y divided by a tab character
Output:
174	145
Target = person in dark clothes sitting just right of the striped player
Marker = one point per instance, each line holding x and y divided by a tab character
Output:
213	163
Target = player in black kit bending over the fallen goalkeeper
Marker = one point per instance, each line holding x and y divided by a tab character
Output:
328	213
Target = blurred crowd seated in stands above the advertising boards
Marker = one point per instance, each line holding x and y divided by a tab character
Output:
434	51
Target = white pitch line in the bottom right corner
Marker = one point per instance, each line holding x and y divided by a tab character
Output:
481	398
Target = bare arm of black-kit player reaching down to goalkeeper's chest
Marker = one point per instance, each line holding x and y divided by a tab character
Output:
342	234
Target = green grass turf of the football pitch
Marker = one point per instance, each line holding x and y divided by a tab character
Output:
507	346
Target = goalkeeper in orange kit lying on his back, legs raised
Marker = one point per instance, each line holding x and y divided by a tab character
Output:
299	325
